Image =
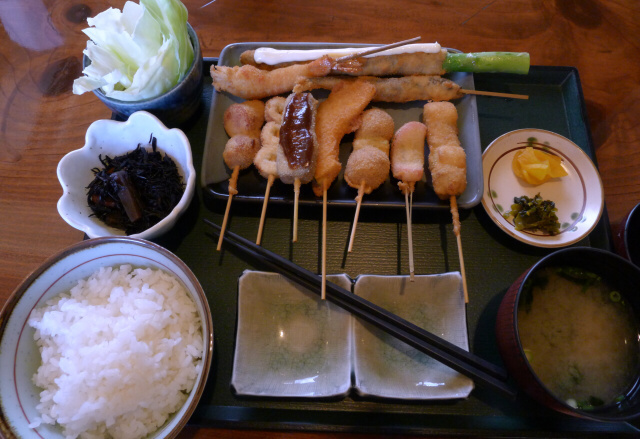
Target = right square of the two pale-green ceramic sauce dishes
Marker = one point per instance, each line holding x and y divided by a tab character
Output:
386	367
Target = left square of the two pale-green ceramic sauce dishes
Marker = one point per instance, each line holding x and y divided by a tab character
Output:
289	343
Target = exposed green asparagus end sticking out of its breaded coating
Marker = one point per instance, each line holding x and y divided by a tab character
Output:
487	62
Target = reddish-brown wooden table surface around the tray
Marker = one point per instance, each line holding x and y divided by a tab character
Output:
41	120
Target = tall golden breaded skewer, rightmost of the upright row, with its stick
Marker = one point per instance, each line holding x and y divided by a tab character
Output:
447	164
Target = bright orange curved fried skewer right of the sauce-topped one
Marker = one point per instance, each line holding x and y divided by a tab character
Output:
335	118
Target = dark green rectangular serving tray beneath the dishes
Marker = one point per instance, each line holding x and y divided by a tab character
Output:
493	261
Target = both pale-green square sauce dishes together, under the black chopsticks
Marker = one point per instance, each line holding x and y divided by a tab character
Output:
289	343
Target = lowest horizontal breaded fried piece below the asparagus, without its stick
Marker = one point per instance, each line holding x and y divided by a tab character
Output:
403	89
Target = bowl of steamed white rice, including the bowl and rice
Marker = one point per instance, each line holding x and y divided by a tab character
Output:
111	338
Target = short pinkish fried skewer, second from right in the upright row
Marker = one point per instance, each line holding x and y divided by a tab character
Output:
407	165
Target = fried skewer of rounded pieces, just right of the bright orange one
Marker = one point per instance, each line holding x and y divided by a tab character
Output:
368	165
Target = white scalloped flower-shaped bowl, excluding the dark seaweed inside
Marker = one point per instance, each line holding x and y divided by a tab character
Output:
112	138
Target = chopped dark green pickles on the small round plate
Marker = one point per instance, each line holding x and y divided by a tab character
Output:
534	214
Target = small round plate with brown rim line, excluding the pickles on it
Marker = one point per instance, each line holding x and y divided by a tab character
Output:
578	196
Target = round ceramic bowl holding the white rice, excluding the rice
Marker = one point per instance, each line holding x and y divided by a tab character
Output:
19	354
